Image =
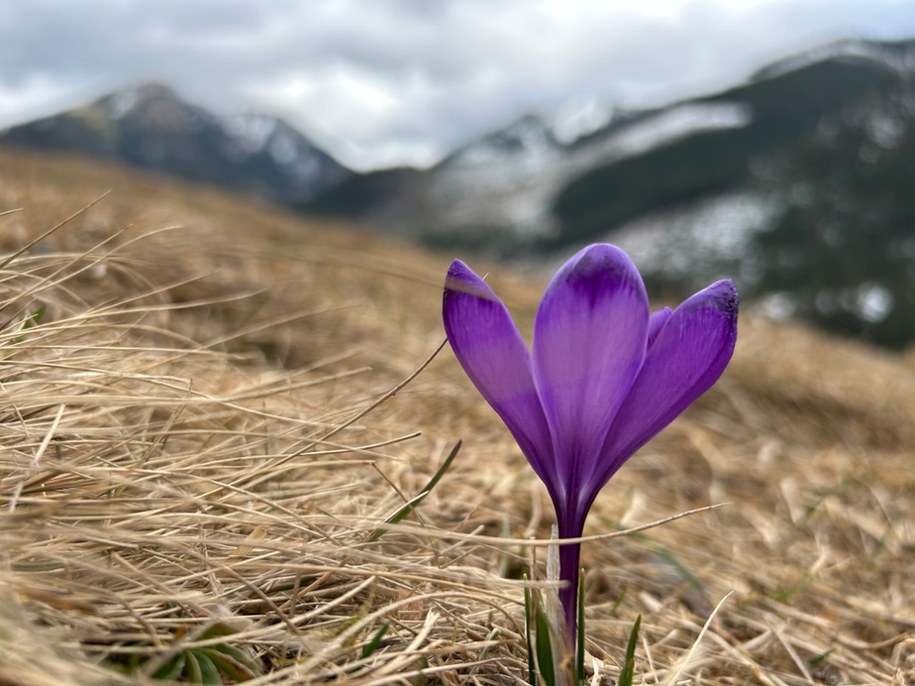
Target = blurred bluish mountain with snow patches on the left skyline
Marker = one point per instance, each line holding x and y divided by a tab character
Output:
150	127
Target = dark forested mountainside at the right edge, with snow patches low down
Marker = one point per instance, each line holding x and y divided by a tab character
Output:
809	205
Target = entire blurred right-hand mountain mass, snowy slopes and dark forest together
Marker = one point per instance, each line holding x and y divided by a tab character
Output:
797	182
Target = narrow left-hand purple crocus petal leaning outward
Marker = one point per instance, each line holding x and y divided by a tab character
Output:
490	349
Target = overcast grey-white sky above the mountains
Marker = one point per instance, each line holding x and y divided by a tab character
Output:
385	82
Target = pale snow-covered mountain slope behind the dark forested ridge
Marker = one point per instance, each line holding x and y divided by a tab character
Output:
508	181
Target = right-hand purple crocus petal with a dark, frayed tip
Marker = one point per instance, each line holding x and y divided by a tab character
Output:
688	354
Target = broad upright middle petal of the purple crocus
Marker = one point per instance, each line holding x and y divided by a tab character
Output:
589	343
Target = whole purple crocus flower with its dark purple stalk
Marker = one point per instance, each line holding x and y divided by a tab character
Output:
603	378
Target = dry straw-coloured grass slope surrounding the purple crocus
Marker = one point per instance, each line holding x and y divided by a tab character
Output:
209	409
